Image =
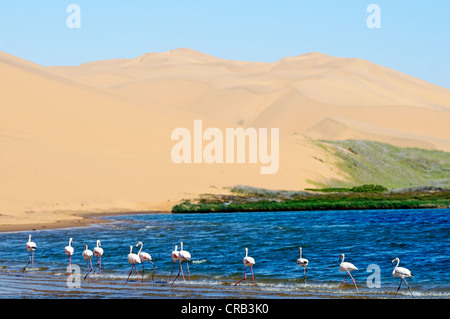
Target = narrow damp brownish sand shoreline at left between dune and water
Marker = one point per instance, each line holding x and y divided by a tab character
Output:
80	219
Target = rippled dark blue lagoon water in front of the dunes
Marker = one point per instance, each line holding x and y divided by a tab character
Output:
216	241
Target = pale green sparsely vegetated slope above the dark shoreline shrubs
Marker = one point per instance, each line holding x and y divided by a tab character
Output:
366	162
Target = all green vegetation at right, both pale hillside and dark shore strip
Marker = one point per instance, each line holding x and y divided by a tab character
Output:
388	177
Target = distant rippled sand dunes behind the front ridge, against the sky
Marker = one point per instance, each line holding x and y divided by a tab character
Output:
294	93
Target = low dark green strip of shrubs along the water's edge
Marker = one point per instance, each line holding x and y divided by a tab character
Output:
258	200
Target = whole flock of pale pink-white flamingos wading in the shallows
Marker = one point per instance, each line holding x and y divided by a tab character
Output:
183	255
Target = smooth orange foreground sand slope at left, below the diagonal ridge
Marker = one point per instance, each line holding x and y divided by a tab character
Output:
69	146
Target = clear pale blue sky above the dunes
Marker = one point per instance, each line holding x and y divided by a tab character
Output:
414	37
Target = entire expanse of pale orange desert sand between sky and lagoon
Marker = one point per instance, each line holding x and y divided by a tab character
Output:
95	138
